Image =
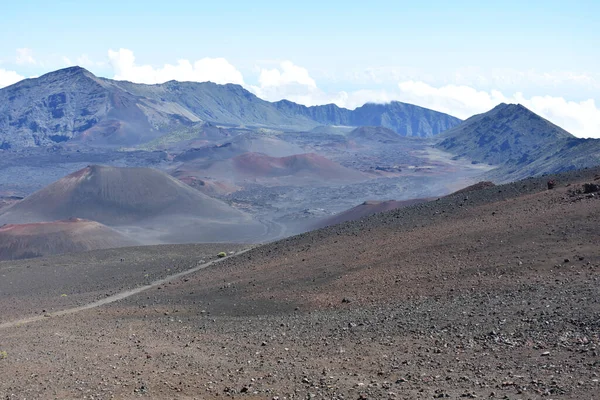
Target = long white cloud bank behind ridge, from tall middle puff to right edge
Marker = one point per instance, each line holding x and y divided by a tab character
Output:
294	83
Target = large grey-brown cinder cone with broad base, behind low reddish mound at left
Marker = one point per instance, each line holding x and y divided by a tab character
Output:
135	198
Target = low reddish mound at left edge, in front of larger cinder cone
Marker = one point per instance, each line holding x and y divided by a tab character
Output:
48	238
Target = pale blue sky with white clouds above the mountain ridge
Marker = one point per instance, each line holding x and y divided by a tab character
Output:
459	57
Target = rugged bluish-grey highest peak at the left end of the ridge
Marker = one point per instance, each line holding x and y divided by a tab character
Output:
73	104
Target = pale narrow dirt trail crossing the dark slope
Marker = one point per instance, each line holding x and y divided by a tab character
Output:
114	297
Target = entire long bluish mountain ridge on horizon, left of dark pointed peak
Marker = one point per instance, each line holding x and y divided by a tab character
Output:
74	106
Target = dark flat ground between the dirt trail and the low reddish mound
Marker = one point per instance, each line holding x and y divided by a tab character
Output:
44	285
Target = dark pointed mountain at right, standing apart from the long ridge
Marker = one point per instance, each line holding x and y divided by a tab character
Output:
520	143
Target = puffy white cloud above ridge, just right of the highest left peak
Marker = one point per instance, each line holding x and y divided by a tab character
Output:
217	70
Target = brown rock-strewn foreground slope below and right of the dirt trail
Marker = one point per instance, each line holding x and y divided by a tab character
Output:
487	294
